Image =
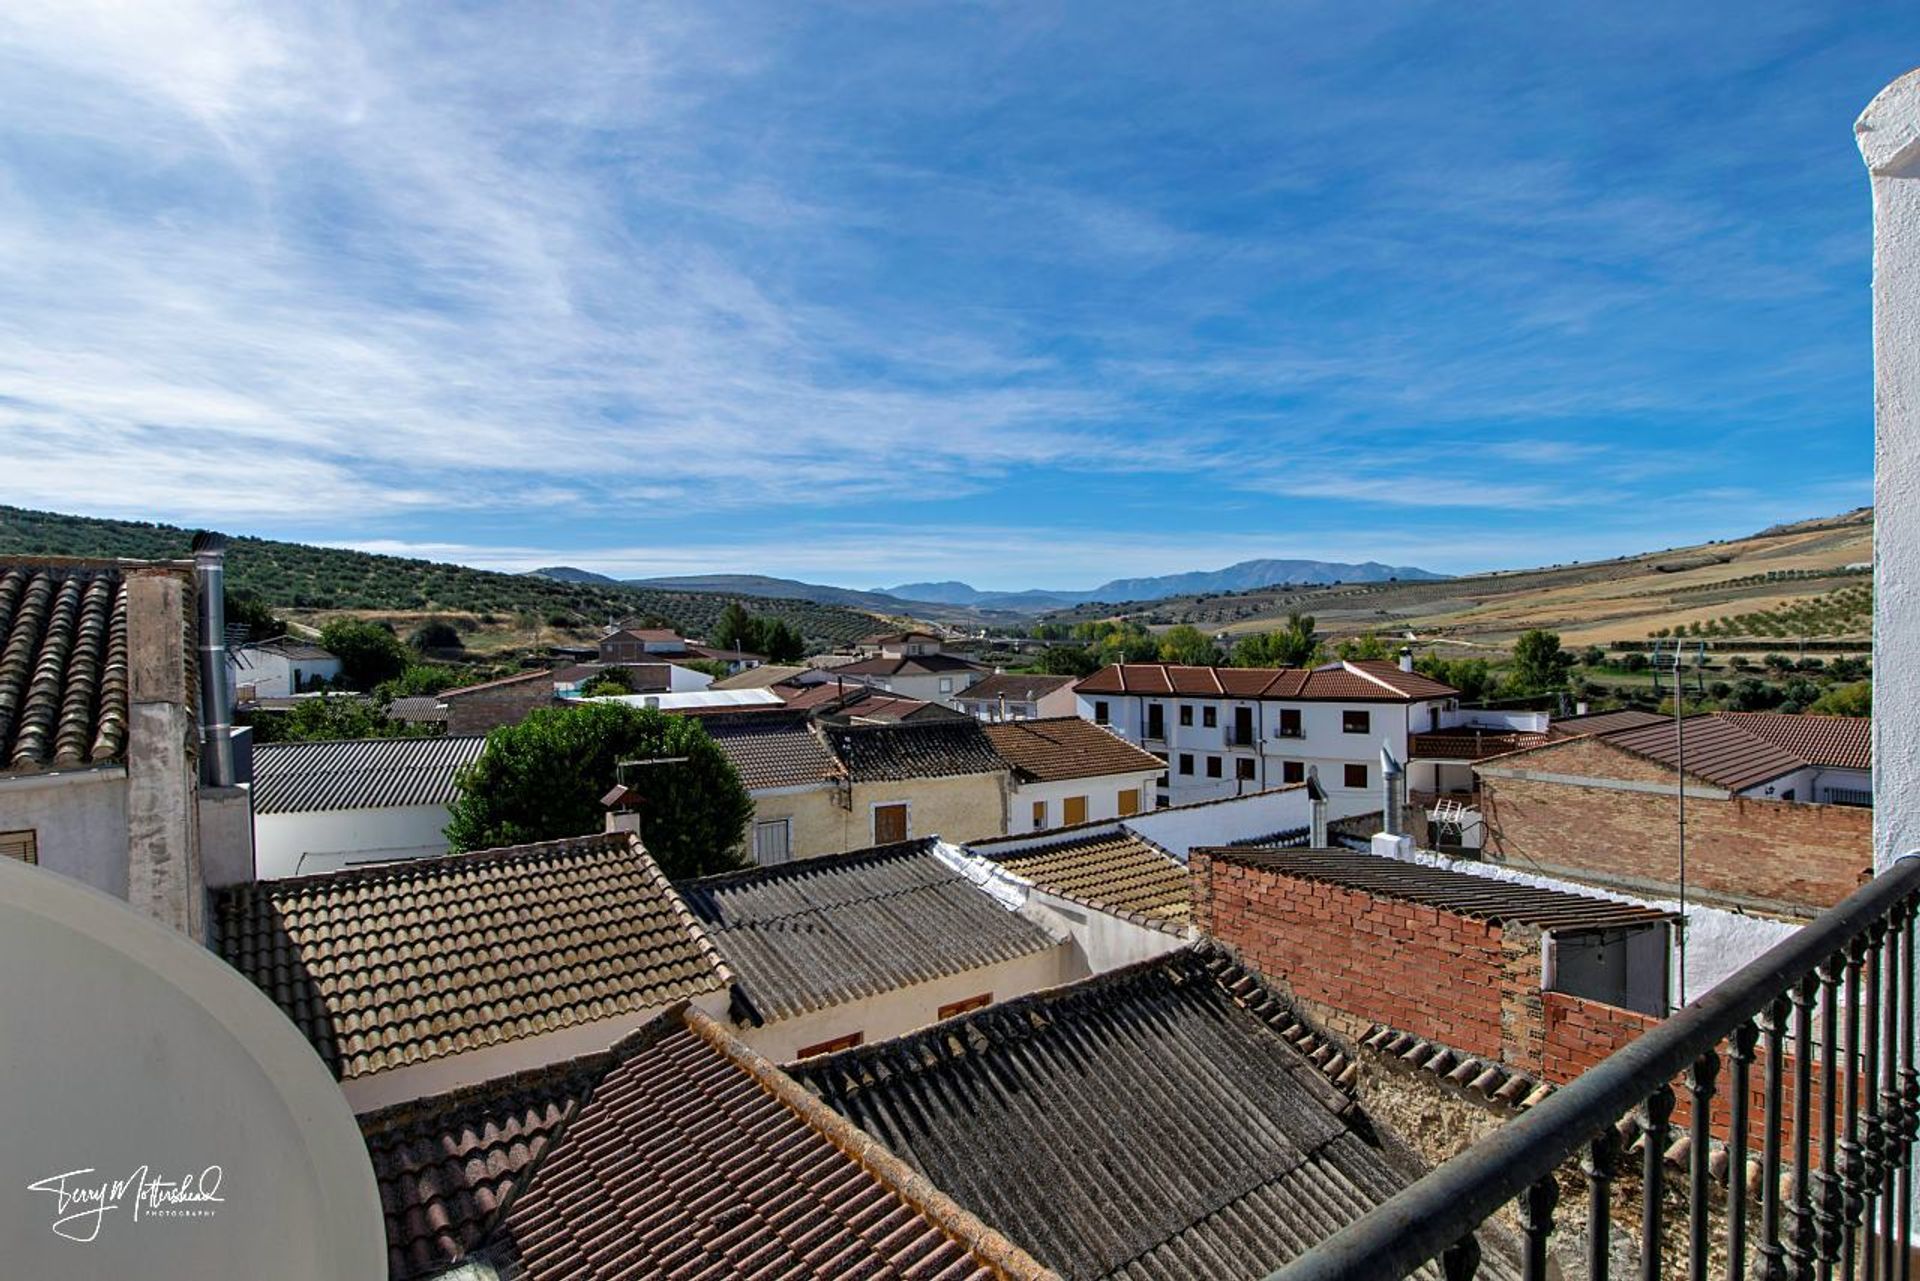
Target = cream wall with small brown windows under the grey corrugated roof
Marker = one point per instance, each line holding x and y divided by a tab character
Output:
907	1009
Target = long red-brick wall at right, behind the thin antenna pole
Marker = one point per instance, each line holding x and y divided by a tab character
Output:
1750	852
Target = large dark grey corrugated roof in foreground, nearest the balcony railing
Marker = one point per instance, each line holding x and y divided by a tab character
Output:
1151	1123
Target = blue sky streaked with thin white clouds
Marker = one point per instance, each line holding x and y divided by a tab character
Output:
1028	295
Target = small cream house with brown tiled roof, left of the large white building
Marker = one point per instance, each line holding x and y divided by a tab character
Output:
1070	771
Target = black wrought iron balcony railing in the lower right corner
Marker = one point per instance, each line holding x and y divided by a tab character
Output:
1833	1190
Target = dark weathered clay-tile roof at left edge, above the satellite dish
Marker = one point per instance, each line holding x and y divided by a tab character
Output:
62	665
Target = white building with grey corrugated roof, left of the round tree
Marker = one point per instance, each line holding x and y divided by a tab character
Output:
322	808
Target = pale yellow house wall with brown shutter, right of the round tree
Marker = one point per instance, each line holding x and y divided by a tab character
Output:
969	808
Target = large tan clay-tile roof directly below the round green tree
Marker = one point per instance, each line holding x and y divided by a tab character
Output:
412	961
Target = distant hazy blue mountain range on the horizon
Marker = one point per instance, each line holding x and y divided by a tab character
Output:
953	600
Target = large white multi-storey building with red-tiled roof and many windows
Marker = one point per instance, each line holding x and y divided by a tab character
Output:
1226	731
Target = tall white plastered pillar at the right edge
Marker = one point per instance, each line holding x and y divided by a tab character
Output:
1890	145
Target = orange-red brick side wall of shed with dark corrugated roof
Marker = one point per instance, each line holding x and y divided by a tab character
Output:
1362	961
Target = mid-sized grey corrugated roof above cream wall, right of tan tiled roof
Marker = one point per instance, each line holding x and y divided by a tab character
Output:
821	932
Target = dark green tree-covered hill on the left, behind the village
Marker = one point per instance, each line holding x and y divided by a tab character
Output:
304	579
